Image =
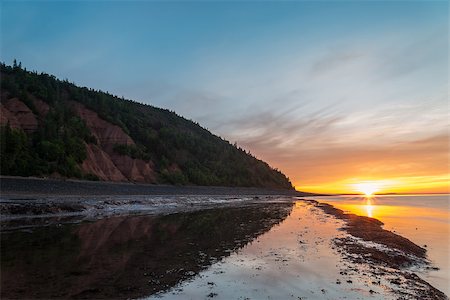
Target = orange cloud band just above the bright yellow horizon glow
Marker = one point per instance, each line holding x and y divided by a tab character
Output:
424	157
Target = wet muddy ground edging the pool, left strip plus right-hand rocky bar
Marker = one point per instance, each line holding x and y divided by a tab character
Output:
367	244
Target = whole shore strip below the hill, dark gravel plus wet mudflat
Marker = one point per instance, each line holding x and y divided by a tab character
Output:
29	202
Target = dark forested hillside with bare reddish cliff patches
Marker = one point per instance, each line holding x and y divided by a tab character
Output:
54	128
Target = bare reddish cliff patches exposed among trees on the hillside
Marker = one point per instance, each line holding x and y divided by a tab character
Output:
101	159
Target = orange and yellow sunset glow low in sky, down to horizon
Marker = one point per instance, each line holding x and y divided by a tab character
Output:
420	166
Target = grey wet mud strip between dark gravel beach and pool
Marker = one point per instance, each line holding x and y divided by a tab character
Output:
22	213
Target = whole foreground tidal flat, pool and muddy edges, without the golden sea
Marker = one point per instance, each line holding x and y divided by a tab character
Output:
203	247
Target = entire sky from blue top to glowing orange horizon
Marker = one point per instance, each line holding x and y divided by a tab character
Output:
332	93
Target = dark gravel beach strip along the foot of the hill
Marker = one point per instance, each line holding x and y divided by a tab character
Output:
10	185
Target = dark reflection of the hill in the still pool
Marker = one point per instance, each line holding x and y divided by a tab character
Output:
126	257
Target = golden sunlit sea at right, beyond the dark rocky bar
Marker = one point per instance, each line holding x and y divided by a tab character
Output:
424	219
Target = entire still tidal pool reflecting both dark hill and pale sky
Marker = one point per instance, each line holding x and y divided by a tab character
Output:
278	249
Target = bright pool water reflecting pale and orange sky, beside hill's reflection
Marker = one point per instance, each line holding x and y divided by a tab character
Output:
293	260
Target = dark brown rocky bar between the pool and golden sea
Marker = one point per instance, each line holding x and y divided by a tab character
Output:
390	253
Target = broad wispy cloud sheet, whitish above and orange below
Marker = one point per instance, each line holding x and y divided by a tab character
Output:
334	116
